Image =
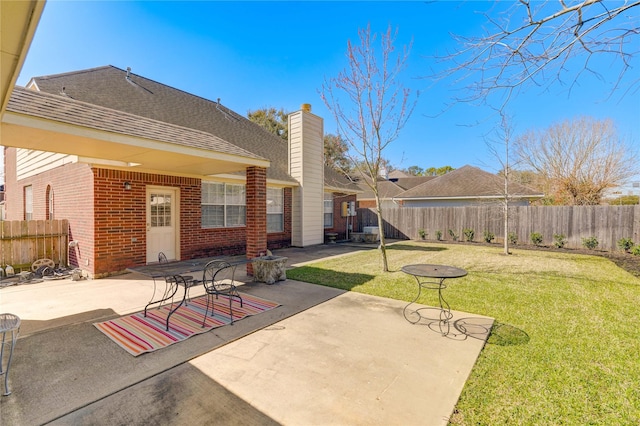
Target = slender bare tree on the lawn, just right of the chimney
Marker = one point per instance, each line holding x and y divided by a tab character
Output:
370	106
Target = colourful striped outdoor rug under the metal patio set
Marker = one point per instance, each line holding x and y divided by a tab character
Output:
138	334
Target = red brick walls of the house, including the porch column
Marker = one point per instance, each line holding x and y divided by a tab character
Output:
110	228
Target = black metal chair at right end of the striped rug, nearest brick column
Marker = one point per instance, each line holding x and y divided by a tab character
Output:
218	278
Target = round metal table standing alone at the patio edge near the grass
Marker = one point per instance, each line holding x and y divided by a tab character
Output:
432	277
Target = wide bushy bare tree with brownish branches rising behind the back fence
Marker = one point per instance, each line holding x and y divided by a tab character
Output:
579	160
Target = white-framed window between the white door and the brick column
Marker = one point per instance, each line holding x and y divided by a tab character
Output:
223	205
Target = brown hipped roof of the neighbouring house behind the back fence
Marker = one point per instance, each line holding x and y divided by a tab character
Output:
467	182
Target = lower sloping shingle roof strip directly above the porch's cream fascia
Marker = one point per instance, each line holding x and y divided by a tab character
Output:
66	110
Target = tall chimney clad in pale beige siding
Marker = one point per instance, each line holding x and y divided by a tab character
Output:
306	165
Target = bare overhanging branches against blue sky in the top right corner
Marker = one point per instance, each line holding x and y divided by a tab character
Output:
536	42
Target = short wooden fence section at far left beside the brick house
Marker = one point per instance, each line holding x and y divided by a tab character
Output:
22	242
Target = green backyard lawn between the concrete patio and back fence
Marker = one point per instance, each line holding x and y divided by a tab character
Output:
565	343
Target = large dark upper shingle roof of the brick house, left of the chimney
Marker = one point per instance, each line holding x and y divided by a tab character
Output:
121	90
